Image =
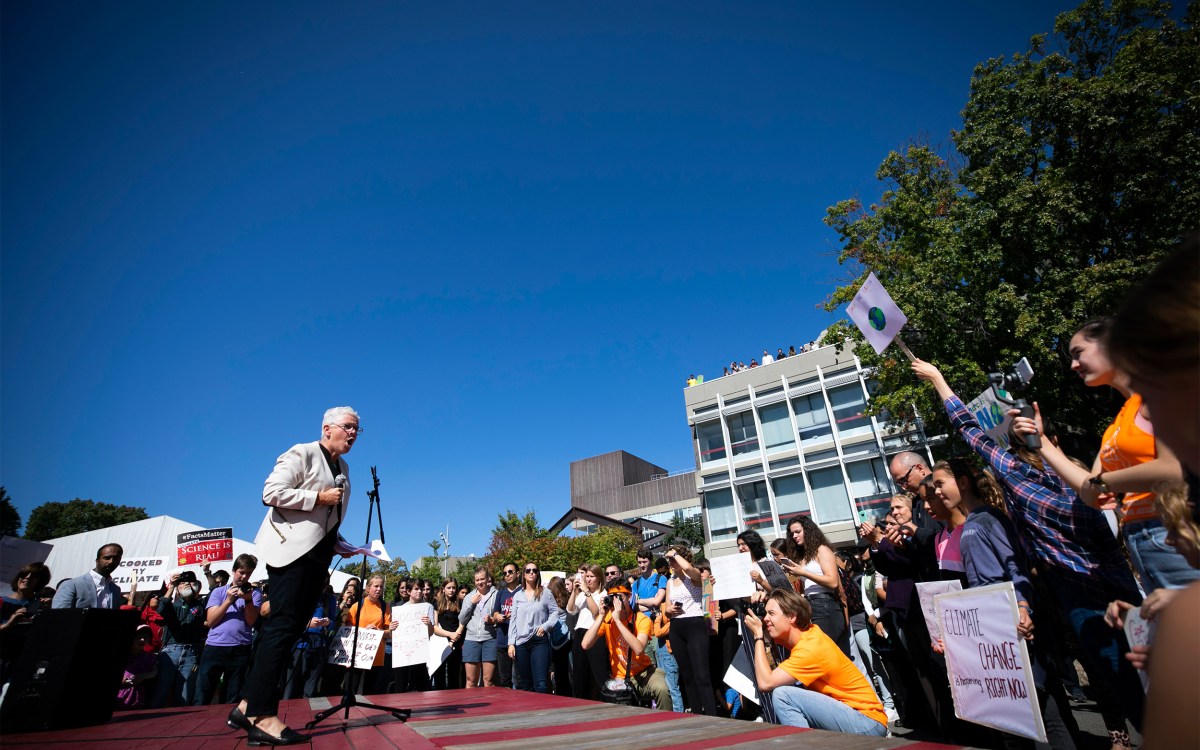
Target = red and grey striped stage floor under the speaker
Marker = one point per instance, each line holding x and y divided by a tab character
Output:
491	718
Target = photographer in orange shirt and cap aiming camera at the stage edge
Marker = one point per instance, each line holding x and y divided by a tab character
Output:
626	633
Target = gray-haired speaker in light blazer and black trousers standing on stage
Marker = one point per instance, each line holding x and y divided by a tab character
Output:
307	499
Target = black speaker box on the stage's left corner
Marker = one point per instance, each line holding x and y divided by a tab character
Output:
70	671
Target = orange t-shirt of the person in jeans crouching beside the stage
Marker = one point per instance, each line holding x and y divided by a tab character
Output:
819	664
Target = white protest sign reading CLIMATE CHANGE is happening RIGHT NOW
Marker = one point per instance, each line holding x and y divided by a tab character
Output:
988	663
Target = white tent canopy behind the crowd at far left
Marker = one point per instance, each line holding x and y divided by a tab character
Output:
76	555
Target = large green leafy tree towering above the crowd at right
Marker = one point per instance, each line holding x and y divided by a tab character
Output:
1076	172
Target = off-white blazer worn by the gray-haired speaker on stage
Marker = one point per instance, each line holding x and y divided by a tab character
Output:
295	524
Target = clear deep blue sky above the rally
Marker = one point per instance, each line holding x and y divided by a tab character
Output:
506	233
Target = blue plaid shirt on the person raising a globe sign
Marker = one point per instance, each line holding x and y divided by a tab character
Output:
1055	527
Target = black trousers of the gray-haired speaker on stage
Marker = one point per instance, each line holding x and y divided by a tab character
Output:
295	590
